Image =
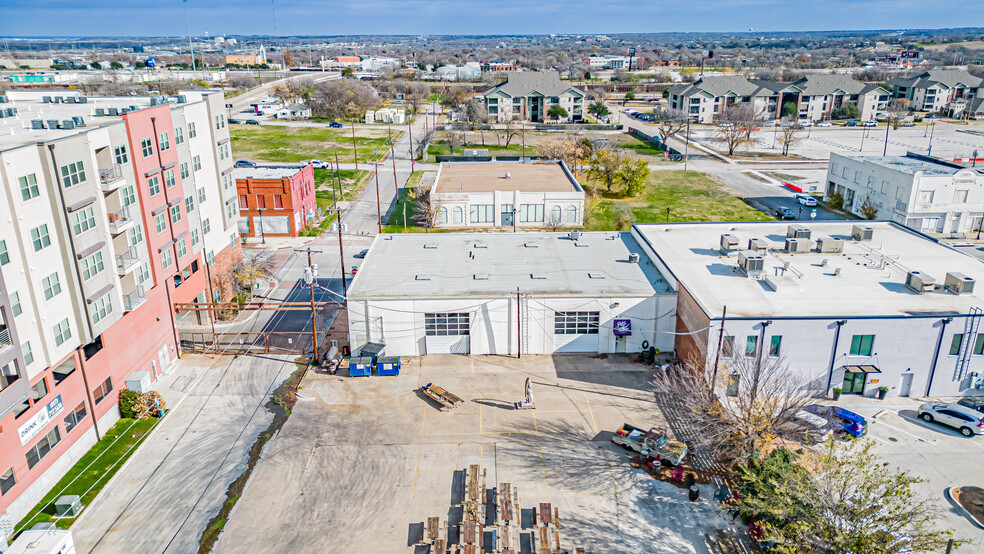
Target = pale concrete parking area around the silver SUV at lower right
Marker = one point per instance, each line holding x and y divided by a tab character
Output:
933	452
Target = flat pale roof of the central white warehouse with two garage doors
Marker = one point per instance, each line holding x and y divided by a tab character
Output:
450	265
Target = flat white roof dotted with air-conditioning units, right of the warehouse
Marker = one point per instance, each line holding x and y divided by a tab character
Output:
871	280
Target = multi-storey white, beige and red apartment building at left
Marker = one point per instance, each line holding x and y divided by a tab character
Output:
111	209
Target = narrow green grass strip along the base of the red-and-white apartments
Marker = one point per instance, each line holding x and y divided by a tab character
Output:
106	457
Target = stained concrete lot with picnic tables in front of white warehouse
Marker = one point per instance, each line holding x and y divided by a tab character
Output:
362	462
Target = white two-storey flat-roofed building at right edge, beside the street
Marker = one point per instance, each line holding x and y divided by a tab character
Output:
921	192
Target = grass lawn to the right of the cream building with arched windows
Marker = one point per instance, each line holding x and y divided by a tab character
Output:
690	196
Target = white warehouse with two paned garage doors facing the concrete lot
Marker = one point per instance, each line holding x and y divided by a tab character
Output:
509	293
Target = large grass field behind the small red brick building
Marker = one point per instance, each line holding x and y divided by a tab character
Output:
280	143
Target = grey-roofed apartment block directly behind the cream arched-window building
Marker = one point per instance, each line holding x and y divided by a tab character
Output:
529	95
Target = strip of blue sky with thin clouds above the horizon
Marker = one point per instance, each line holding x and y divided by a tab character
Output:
413	17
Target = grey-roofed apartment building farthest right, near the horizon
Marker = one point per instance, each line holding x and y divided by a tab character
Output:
934	90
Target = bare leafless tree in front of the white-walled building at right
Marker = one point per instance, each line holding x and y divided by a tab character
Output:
737	409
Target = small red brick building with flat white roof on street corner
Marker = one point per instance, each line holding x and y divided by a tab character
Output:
275	200
